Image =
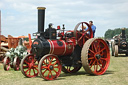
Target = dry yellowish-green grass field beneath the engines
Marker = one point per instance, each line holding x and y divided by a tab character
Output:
117	74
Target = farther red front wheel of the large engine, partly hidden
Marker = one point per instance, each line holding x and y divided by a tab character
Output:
29	66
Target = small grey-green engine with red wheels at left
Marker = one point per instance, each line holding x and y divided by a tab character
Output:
13	57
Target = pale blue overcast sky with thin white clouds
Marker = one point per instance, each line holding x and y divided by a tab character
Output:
19	17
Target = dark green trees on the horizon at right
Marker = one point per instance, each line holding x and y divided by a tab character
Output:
110	33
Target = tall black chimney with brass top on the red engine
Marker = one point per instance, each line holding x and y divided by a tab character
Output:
41	19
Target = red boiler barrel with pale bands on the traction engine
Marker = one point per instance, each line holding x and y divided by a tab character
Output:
66	49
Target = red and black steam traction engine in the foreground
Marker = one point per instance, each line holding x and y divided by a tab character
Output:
74	49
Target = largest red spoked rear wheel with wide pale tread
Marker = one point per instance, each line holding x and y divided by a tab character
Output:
95	56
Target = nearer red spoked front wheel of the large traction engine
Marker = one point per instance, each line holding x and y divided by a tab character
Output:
49	67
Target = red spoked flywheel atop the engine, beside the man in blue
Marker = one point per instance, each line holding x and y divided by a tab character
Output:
82	33
